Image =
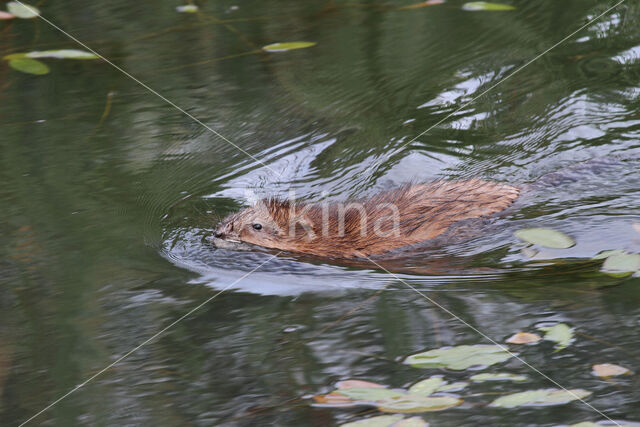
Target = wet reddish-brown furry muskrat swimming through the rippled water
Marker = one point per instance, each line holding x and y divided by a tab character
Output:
389	220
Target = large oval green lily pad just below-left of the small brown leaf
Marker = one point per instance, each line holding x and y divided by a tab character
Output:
460	357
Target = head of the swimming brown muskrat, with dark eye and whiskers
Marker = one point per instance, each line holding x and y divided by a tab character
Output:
264	224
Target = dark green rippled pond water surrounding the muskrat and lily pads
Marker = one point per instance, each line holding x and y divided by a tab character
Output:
108	193
